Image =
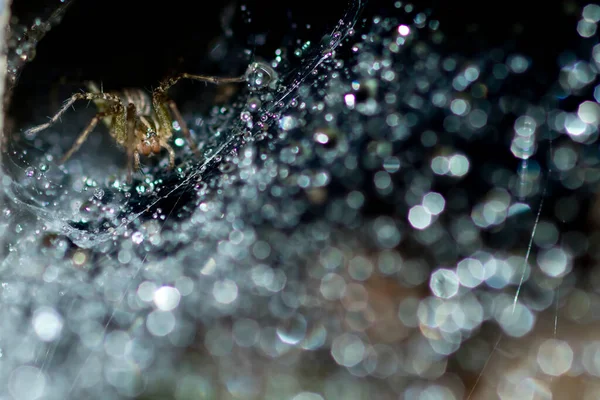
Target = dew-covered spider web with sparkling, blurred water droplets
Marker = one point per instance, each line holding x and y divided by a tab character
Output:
371	210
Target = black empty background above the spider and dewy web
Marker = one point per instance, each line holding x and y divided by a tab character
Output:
136	43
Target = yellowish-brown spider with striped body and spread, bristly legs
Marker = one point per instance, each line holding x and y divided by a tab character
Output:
139	122
